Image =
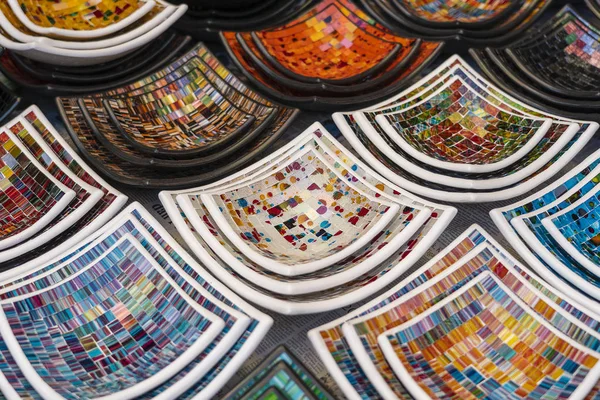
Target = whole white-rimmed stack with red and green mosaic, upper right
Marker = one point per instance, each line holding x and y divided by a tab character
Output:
455	137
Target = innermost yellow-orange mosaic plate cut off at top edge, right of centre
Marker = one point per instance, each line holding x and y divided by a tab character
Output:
457	13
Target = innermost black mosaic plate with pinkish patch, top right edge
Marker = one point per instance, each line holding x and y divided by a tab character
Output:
564	61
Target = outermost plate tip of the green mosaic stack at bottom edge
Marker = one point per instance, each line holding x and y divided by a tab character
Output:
278	357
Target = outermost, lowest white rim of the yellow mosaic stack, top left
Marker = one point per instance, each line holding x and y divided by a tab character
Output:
59	56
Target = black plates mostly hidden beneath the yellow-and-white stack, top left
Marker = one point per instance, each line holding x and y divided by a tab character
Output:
46	78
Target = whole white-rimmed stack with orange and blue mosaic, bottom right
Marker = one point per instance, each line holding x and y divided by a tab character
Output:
471	323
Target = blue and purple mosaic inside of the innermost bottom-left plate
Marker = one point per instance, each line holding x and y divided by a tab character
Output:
119	318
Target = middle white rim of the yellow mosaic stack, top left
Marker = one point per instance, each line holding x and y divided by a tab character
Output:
87	45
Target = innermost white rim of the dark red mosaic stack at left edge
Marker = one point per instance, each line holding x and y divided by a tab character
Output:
59	206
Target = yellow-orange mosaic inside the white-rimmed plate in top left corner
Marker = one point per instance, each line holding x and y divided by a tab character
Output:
77	15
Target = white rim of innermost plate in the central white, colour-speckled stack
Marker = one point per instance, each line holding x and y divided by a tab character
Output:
307	267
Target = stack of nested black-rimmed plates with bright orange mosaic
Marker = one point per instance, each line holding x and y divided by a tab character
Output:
332	57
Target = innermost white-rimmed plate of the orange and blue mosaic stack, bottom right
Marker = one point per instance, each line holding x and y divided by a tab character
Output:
481	320
